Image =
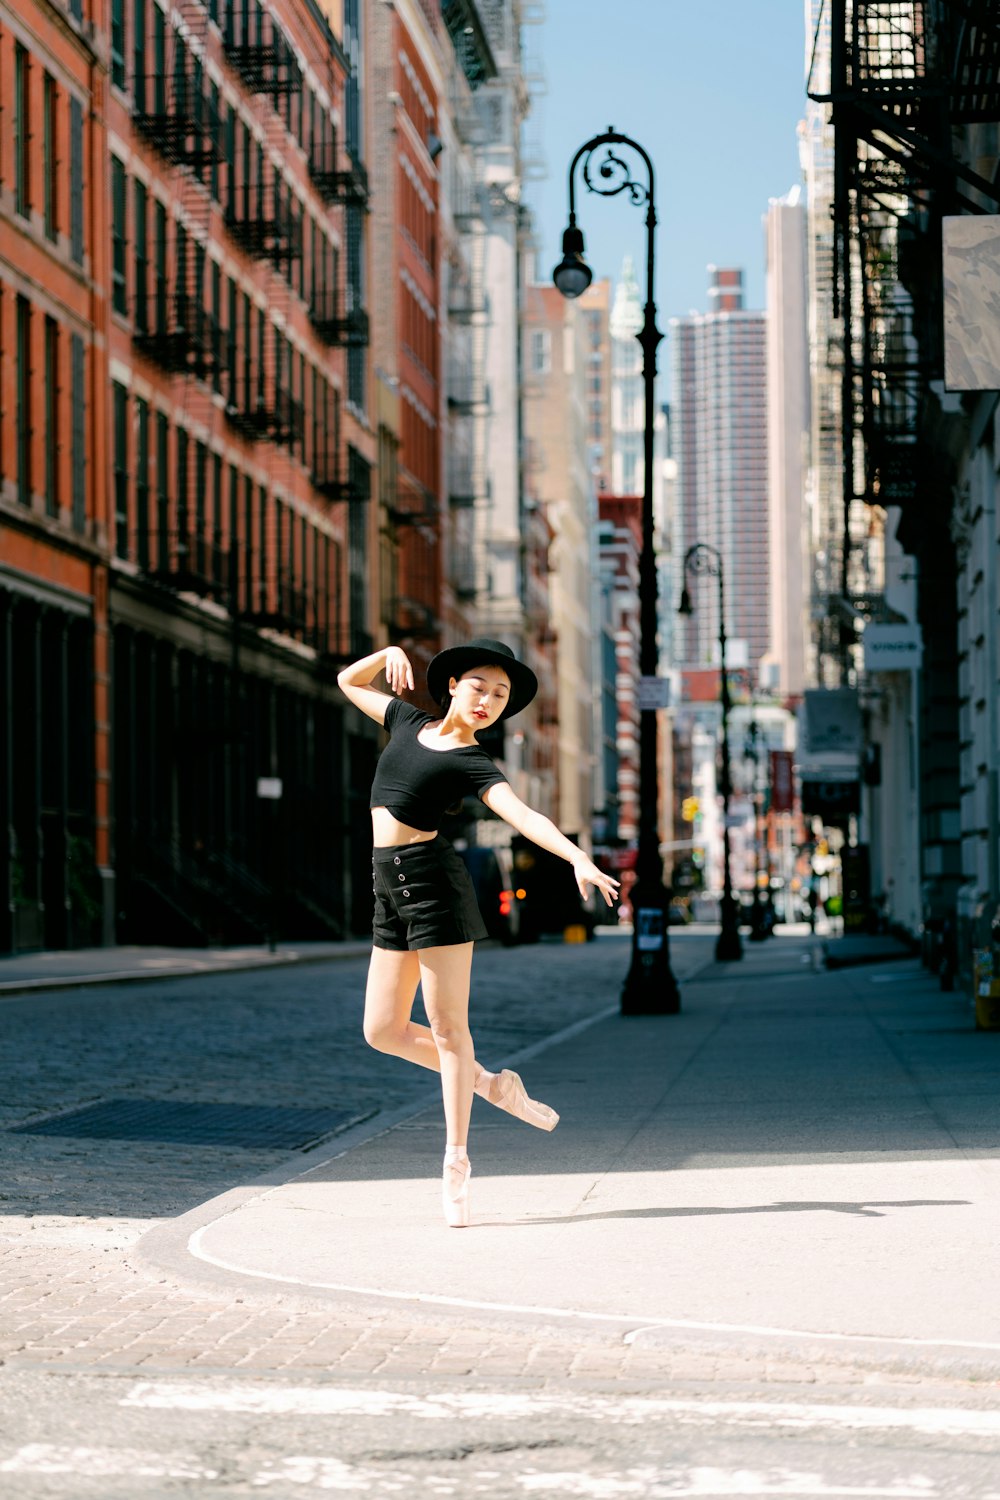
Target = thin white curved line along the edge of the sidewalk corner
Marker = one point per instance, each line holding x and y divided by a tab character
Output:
642	1321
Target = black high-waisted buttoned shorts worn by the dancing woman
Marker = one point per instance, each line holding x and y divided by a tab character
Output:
424	898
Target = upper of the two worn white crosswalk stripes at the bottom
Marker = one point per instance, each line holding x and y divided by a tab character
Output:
519	1406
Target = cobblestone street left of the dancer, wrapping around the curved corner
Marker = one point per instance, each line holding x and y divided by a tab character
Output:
73	1208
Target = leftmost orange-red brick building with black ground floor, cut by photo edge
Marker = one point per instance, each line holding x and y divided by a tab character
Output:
55	752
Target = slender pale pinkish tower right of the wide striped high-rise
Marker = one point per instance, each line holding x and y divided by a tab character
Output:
788	442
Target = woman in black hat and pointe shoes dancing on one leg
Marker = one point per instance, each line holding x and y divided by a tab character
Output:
427	916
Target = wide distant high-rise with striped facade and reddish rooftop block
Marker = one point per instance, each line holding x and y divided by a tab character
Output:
720	440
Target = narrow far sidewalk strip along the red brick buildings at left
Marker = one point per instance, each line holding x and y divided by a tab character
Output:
70	968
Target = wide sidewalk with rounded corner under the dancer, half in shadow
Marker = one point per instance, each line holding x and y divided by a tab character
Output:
801	1160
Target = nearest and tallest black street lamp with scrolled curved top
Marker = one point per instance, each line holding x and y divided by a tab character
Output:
650	988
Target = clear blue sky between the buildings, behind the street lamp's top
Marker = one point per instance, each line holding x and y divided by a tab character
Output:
714	91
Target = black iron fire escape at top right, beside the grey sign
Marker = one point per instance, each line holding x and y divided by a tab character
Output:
903	76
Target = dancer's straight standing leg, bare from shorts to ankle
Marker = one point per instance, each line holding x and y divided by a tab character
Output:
445	976
